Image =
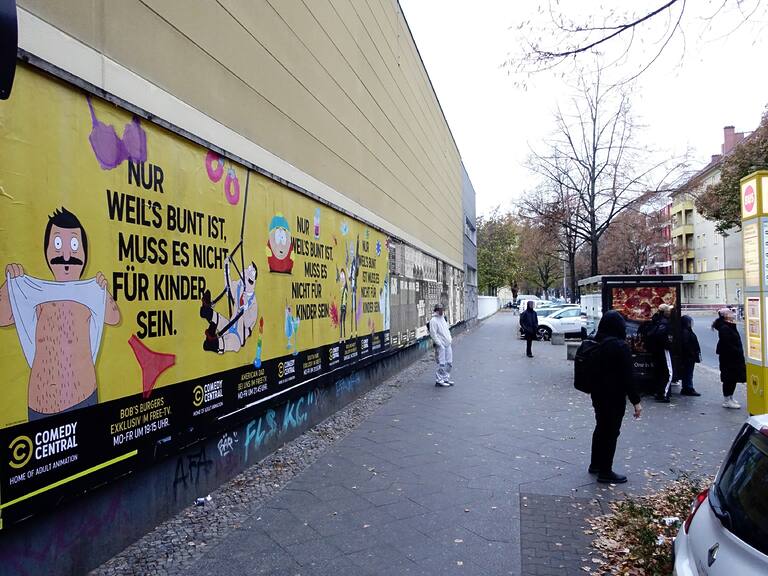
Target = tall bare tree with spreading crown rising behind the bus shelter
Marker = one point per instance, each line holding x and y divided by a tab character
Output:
593	156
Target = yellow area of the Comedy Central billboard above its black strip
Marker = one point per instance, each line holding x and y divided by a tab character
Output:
131	254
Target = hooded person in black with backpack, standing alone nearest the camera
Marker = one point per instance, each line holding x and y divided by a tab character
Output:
609	397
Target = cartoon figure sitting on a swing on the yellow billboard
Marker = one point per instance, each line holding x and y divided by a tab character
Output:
229	334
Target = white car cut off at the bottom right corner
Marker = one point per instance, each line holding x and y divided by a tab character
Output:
726	532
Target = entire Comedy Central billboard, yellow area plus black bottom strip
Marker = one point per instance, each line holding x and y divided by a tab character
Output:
153	288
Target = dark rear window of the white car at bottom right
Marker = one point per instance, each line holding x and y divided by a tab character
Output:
743	489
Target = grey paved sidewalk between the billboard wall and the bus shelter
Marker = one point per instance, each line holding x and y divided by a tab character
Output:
486	477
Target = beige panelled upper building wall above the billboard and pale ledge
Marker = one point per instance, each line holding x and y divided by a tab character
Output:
336	88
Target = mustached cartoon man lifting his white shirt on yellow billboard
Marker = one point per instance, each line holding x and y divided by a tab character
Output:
60	322
